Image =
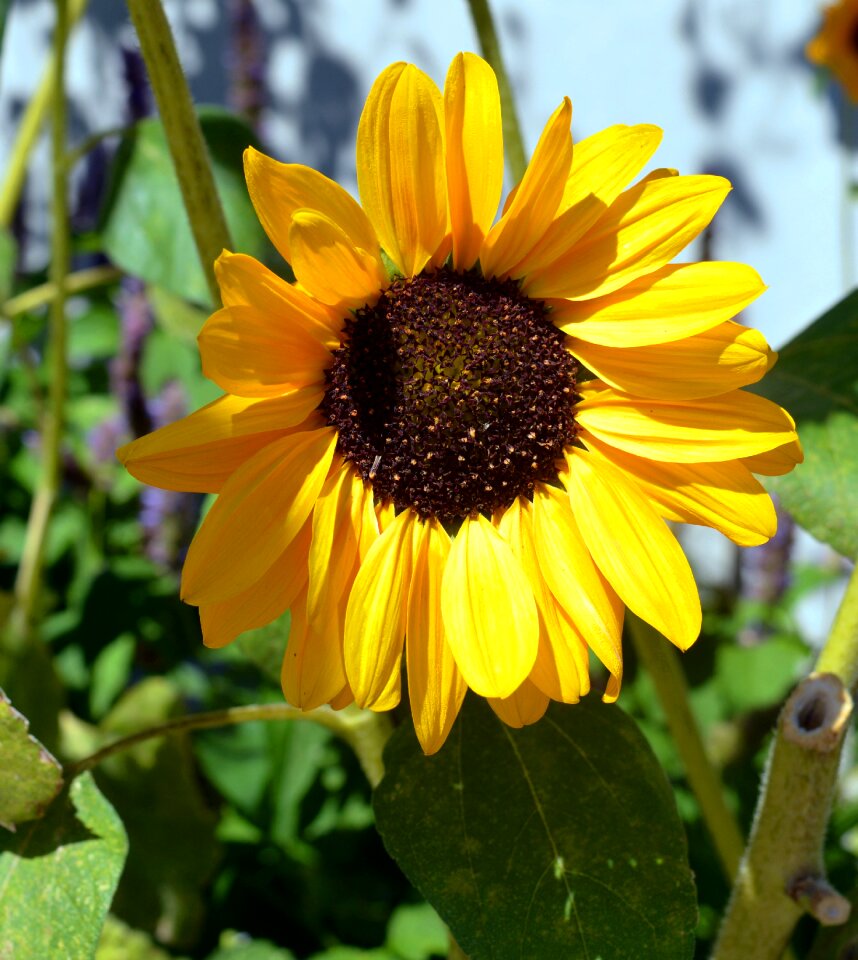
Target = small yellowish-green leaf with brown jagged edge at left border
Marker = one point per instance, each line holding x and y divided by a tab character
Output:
31	776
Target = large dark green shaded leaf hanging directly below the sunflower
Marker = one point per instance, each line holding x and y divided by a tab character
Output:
560	840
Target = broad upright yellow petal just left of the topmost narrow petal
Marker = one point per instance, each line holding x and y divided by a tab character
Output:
400	166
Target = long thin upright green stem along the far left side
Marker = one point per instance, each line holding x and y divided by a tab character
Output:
28	580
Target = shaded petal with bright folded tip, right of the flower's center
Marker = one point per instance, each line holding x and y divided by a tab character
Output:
716	361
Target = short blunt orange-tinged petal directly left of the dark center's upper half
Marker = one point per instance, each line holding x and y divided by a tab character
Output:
248	355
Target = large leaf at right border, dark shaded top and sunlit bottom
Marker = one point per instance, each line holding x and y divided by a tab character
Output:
816	380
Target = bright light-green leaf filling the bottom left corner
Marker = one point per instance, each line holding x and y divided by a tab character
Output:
57	877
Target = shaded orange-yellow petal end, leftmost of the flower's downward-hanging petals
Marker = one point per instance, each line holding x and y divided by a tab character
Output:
312	672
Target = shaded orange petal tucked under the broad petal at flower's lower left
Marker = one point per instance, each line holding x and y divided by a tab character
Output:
266	600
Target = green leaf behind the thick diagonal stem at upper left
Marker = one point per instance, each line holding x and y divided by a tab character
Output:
145	229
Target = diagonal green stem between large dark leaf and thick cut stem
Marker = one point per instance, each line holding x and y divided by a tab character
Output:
665	671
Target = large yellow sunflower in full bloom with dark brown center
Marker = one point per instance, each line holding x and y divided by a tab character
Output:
459	439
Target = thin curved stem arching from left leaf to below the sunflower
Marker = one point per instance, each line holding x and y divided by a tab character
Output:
364	731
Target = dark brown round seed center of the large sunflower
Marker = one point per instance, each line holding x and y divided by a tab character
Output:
452	395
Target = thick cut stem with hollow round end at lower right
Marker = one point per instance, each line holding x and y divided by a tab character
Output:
782	874
